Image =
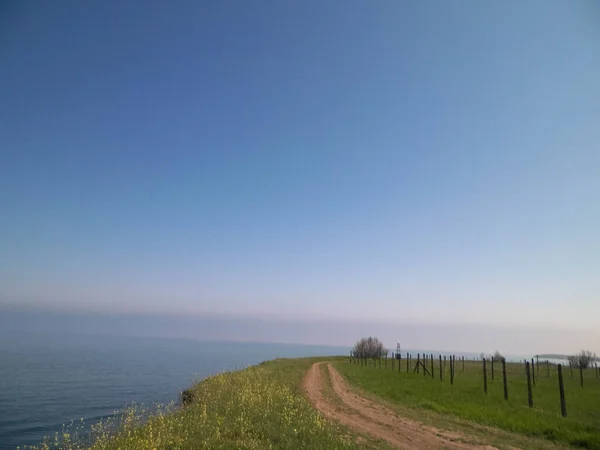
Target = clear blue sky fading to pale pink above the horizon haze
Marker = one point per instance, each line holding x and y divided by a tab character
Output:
414	163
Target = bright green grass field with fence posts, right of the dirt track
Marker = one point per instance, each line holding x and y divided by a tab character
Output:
435	399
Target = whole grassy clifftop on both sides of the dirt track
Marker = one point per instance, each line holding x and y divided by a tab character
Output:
265	407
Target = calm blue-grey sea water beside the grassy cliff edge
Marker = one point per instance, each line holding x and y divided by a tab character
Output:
48	380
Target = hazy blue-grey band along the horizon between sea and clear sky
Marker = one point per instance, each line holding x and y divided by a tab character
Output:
464	338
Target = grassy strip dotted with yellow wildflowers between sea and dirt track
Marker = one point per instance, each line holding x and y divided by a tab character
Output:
262	407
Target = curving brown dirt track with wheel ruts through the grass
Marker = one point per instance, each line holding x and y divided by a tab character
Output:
377	421
